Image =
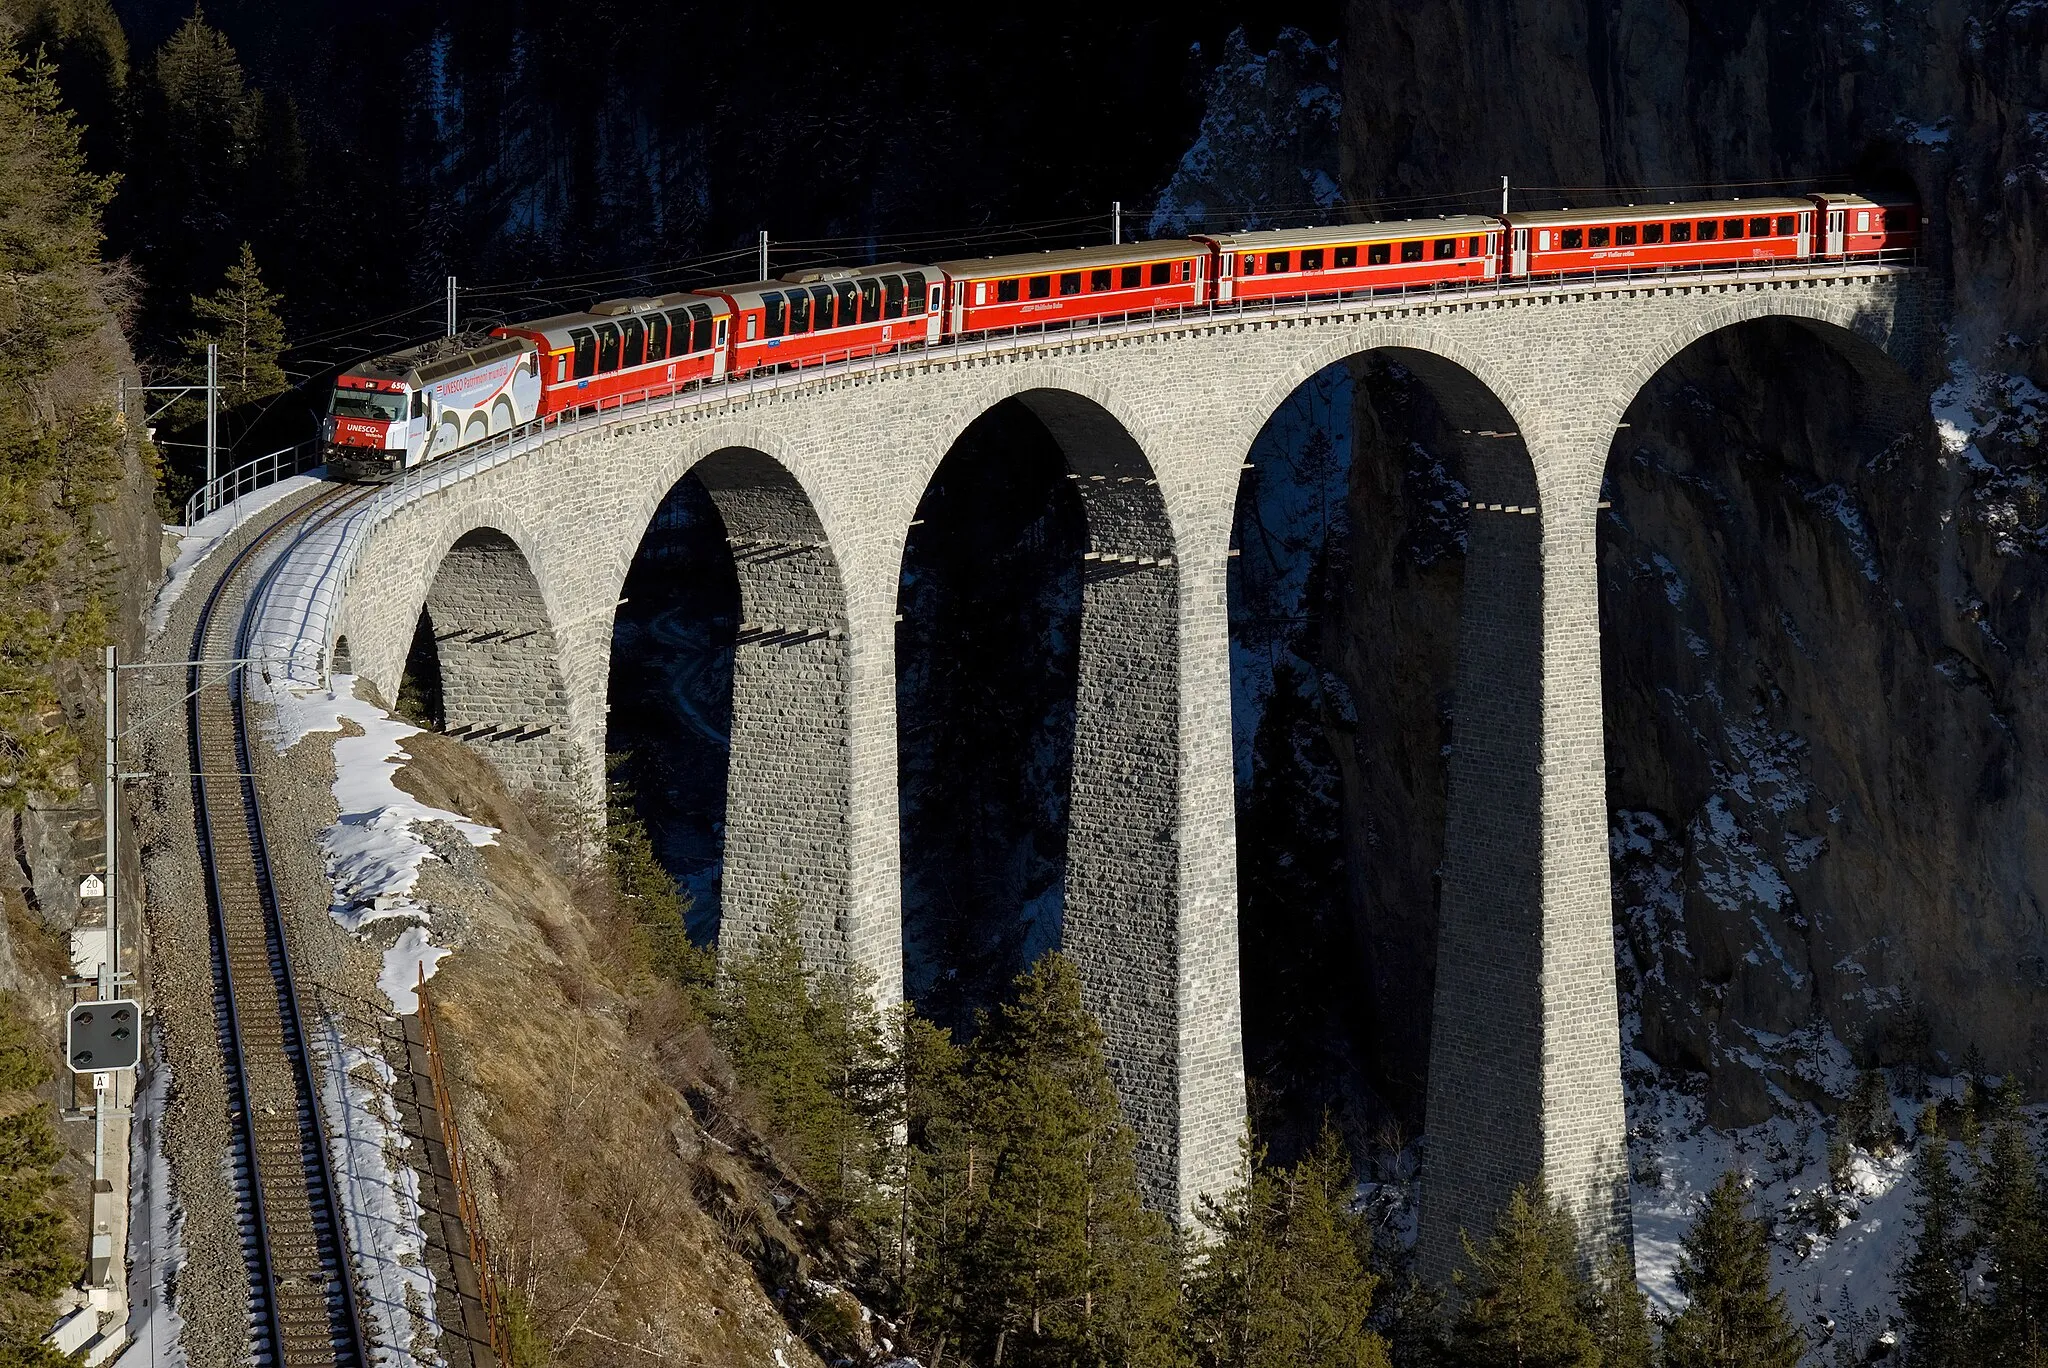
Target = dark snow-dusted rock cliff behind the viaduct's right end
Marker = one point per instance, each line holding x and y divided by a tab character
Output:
1822	597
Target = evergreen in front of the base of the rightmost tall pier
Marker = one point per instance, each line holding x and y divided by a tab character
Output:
1525	1297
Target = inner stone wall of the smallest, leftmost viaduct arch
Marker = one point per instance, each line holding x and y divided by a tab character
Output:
501	677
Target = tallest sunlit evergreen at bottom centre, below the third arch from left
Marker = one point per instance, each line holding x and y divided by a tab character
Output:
1056	1260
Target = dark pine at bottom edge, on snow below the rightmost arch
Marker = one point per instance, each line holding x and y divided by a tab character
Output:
1734	1320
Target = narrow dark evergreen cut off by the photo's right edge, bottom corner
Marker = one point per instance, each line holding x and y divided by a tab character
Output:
2010	1222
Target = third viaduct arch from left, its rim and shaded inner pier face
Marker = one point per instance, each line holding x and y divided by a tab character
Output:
1123	880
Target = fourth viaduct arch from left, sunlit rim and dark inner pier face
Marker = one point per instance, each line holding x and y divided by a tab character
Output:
1488	1029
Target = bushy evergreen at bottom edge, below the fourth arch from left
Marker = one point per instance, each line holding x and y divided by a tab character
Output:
1287	1277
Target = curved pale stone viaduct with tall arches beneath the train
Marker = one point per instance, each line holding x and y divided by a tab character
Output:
519	554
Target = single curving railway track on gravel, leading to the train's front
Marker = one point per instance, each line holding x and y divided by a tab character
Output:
302	1283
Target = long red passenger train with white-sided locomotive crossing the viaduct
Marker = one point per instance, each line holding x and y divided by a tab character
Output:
413	407
